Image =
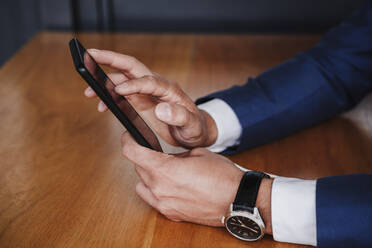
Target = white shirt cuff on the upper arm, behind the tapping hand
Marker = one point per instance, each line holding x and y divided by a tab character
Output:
228	125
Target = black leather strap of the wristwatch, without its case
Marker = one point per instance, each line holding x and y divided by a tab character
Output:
246	196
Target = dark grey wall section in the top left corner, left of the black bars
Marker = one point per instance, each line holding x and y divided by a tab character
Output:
21	19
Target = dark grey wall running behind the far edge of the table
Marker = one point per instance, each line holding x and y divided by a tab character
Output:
21	19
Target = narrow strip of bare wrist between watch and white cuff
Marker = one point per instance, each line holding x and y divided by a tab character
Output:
263	203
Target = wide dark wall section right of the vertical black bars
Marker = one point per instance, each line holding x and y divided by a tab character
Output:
232	15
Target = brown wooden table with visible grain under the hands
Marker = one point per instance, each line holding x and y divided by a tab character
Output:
63	181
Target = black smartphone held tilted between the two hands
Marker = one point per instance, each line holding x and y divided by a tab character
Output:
119	106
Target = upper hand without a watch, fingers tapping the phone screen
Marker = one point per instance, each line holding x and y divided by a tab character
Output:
163	105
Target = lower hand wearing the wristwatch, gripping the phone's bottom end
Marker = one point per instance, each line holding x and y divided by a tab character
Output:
197	186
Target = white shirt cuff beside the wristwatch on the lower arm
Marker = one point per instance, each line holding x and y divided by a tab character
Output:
293	210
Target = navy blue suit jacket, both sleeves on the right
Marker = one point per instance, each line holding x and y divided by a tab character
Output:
314	86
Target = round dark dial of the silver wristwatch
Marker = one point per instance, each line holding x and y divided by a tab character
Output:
243	228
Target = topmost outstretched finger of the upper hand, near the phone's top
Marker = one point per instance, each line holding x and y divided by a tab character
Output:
128	64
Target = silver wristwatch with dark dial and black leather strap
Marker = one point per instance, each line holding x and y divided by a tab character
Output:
243	219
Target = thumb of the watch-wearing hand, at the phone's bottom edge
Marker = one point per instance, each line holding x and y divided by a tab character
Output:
144	157
